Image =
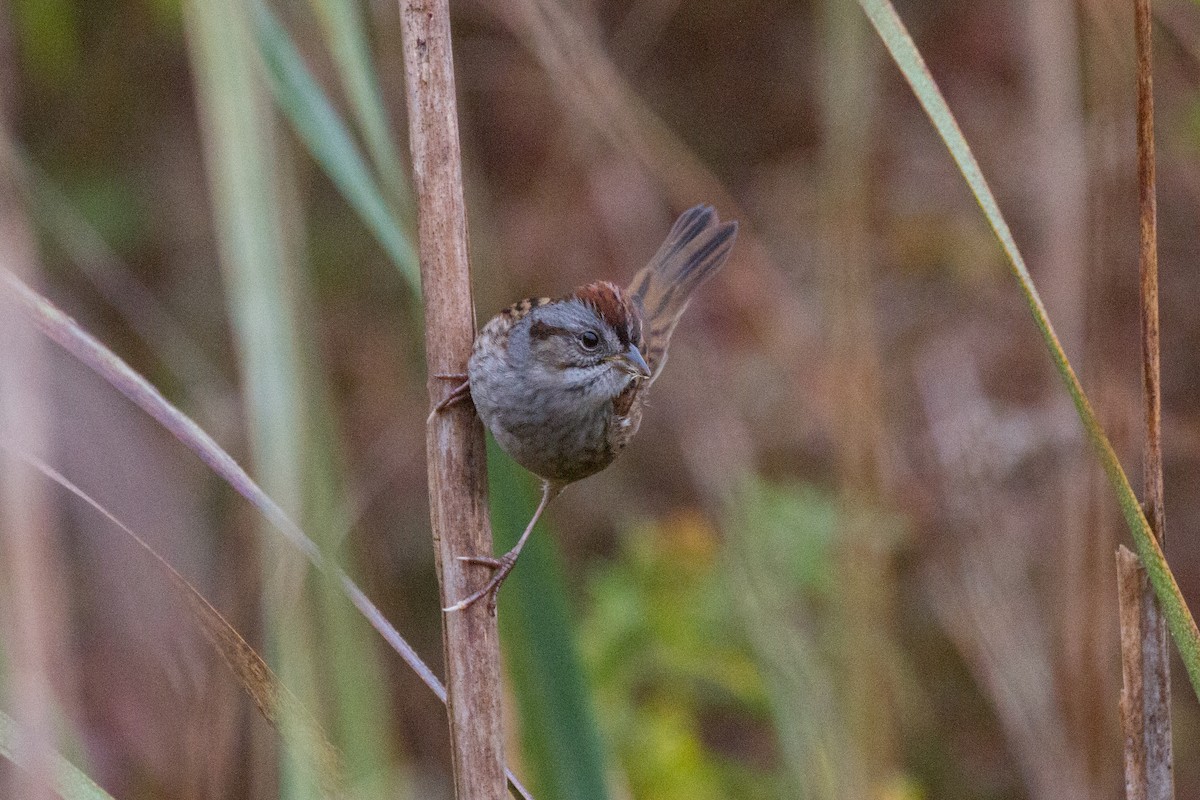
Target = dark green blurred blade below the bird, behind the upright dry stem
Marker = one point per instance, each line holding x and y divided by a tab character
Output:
560	736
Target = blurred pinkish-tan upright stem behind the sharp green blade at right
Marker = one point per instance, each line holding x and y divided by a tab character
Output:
1067	239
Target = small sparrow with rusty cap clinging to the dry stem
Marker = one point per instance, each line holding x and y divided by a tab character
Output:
561	383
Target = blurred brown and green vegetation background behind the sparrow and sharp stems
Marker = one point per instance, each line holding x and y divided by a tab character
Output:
860	549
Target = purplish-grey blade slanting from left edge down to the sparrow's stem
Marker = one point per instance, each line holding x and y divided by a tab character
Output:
76	341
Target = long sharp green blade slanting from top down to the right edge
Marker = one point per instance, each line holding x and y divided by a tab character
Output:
903	50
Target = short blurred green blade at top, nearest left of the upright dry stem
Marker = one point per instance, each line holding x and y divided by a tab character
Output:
347	39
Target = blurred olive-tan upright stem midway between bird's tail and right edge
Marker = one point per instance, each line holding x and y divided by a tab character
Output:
867	706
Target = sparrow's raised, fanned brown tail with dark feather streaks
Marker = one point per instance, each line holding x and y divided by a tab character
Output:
695	249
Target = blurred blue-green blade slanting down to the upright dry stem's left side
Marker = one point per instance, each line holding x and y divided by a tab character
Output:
329	141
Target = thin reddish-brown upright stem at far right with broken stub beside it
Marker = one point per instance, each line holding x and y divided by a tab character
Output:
1153	775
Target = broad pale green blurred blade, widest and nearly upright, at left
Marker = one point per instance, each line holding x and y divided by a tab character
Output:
242	159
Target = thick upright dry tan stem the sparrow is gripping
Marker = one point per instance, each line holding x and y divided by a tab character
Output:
455	438
